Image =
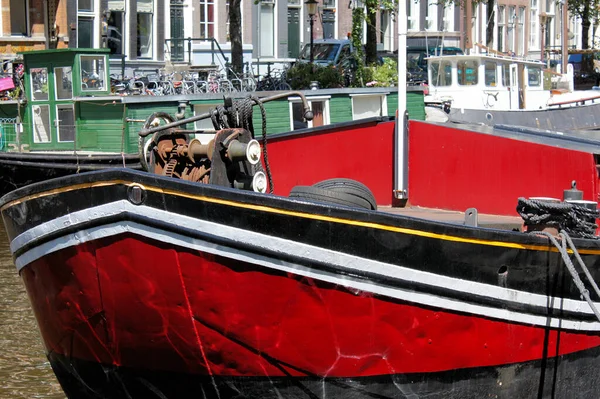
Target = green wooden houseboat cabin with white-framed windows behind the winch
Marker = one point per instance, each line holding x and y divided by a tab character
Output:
68	107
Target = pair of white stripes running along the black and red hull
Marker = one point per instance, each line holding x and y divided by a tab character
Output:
349	265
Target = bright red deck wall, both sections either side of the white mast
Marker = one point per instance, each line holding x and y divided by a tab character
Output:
449	168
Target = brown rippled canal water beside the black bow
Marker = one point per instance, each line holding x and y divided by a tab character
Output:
24	369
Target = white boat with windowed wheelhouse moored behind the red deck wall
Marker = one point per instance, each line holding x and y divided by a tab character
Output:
492	89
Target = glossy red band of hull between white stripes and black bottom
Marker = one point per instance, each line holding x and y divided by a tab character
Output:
131	301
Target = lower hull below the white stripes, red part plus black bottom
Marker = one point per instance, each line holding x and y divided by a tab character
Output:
147	311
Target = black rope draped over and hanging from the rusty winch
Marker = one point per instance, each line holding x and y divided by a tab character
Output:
238	114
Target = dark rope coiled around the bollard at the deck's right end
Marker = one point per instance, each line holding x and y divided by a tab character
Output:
575	220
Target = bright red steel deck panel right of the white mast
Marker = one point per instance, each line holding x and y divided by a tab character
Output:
456	169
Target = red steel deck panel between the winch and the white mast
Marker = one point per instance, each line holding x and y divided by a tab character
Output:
308	159
